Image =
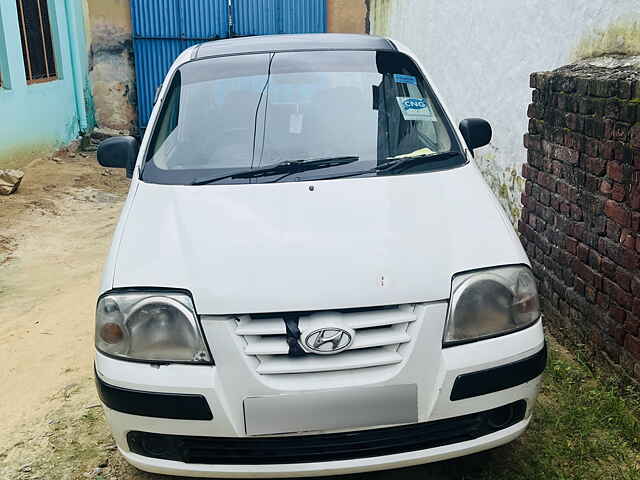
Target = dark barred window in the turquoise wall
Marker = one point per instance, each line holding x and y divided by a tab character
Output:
26	54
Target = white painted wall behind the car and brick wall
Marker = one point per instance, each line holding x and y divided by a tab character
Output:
480	55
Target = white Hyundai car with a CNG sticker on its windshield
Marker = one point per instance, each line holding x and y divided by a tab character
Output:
309	275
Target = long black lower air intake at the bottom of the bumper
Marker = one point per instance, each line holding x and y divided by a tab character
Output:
325	447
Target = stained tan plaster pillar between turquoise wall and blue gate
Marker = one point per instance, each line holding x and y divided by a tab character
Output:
111	66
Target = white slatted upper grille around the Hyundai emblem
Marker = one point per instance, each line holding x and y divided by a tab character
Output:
379	332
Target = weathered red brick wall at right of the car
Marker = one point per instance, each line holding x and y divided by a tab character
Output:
581	217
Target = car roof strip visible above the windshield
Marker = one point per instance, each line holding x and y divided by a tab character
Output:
284	43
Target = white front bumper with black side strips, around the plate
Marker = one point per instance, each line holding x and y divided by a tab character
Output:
525	350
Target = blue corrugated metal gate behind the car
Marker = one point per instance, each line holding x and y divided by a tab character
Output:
164	28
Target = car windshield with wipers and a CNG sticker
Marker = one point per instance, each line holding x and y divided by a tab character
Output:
228	114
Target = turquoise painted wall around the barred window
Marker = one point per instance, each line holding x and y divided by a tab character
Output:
39	118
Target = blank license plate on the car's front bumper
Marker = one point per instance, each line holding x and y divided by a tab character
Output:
331	409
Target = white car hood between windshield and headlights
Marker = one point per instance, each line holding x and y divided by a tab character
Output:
313	245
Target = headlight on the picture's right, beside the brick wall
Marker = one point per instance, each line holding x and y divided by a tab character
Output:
491	302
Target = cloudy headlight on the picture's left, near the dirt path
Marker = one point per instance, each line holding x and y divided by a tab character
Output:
150	326
